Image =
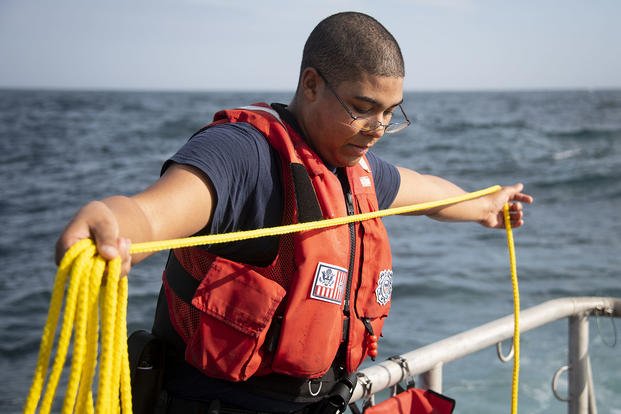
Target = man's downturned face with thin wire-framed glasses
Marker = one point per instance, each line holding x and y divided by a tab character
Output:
327	124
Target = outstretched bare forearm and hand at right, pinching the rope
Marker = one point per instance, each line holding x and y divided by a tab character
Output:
419	188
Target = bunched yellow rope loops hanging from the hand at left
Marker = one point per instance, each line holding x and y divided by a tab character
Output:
85	271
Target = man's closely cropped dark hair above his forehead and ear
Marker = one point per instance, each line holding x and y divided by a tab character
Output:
346	45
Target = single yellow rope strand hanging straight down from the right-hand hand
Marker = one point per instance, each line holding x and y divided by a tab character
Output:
516	312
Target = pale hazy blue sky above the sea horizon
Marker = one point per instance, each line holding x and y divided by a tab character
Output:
203	45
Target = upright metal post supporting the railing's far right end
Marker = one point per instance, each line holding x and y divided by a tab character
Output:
578	364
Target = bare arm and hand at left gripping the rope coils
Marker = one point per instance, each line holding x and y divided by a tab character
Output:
179	204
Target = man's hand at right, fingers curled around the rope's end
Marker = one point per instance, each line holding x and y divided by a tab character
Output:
510	194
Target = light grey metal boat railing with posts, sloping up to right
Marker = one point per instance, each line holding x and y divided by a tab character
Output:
428	360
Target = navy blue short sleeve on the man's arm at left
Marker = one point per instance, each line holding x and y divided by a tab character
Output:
241	167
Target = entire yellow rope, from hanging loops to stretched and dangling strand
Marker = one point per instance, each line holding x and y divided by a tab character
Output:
88	291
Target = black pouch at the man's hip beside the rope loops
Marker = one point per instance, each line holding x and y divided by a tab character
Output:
146	366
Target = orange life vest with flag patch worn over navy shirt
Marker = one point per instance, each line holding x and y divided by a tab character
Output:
291	316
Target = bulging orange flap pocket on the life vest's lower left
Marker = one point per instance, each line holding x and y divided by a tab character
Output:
236	307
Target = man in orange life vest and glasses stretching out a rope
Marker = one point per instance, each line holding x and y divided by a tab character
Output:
274	324
